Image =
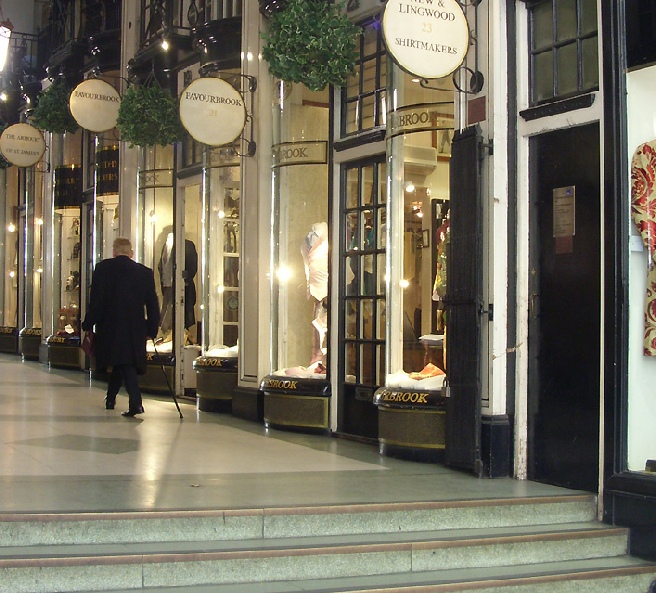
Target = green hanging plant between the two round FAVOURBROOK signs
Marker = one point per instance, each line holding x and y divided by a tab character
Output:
149	115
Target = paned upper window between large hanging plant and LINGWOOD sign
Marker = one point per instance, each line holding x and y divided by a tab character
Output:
363	97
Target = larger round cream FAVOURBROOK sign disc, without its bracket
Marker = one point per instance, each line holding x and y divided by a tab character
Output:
212	111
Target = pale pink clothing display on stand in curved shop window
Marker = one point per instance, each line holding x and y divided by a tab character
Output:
315	257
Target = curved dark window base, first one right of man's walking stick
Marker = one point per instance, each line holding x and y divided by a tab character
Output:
216	379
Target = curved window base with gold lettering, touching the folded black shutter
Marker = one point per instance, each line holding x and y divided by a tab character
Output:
411	424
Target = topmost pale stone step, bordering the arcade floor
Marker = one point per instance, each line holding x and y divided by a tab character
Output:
31	529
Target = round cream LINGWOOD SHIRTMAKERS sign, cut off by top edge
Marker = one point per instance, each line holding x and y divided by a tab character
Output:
427	38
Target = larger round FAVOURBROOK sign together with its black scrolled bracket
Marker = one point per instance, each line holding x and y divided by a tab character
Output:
214	113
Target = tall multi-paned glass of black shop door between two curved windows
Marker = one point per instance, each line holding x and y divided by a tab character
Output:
364	272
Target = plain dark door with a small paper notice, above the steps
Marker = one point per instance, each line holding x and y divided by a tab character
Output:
564	308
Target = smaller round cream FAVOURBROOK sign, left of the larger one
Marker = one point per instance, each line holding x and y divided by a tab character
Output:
94	104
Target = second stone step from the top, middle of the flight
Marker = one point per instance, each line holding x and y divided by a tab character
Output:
31	571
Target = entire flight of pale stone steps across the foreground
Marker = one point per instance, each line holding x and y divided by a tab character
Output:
527	545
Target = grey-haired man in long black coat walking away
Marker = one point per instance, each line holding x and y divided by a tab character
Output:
123	307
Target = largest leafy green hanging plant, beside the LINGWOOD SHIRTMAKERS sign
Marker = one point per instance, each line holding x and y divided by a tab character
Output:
312	42
